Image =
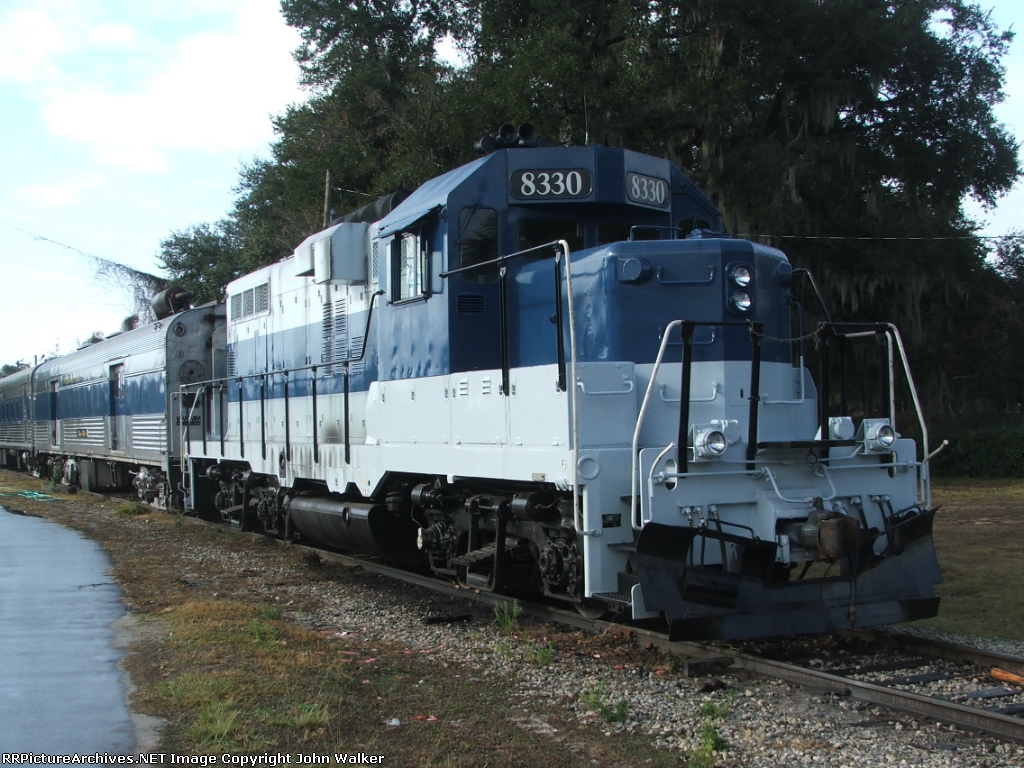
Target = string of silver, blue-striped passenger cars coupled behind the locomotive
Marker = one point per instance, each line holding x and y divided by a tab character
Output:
103	415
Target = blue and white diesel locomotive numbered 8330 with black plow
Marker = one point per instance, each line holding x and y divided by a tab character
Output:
552	371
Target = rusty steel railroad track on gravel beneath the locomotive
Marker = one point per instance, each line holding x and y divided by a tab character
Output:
871	681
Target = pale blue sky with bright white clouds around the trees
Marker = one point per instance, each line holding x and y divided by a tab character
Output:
124	121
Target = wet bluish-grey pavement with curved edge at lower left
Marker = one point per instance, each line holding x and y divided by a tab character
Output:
61	688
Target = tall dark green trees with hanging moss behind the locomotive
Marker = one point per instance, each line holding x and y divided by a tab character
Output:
864	122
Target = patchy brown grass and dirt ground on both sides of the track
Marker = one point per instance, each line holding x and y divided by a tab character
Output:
219	654
